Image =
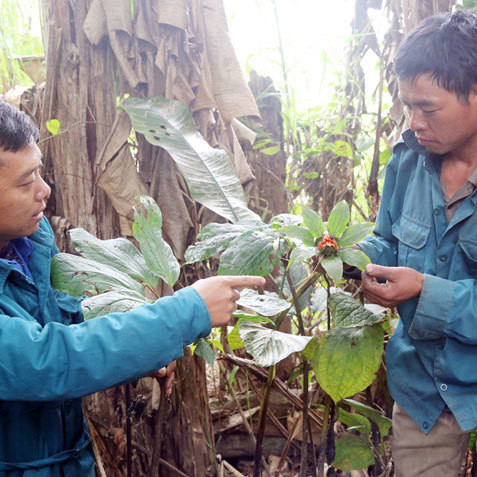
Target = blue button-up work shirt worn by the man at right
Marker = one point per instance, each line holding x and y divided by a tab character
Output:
432	356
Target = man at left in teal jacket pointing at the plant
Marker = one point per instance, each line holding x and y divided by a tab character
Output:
49	357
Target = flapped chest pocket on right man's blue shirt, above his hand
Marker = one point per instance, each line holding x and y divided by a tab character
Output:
412	237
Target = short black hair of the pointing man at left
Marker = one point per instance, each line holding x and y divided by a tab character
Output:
17	130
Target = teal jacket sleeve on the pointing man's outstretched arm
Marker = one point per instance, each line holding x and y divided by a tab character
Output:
58	361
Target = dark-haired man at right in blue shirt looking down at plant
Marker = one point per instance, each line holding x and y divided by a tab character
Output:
425	249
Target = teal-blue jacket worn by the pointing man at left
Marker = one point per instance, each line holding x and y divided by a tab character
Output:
49	358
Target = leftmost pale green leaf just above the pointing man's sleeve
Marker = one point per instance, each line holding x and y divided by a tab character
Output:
80	276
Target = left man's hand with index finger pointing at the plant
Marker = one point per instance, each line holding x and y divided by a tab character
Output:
221	293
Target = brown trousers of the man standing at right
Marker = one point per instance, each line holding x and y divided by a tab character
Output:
438	454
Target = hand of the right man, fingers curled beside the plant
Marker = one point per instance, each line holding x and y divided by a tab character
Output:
402	284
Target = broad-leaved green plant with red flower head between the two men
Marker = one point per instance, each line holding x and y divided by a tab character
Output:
345	353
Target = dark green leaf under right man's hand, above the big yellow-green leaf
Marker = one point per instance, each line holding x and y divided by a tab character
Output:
348	312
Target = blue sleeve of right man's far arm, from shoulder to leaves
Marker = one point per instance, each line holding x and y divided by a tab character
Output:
381	247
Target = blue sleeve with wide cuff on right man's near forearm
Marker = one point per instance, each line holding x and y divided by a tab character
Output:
446	309
